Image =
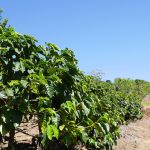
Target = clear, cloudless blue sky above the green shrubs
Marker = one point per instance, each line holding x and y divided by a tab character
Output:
112	36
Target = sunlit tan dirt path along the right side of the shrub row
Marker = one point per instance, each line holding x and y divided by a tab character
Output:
136	135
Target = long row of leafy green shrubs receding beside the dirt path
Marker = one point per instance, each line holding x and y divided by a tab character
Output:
70	106
